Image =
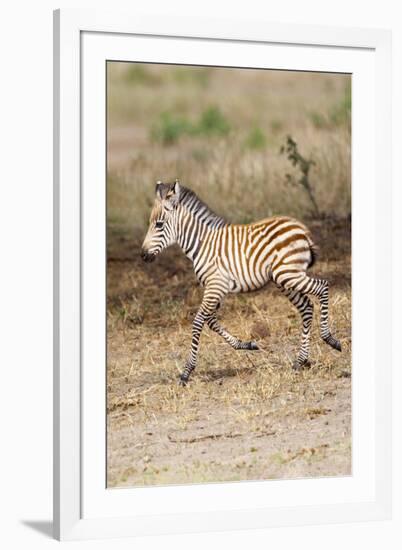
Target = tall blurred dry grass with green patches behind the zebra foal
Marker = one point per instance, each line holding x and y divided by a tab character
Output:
220	131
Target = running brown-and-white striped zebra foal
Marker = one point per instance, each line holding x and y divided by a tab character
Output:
229	258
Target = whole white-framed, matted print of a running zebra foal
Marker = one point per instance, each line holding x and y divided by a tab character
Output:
222	226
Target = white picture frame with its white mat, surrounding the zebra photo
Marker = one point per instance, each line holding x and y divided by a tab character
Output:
83	507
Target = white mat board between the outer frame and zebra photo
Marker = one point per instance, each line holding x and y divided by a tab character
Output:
98	503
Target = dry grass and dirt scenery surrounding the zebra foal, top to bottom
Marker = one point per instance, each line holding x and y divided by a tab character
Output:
245	415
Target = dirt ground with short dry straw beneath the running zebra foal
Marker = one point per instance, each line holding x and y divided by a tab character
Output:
245	415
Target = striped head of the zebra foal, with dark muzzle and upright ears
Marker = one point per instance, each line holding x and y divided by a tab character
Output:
162	228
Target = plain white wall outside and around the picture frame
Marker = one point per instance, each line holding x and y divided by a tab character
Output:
26	271
